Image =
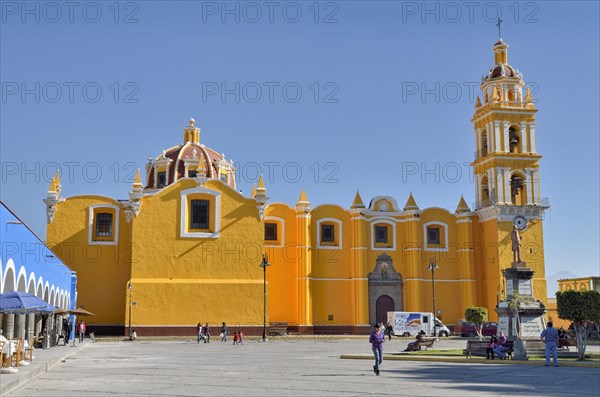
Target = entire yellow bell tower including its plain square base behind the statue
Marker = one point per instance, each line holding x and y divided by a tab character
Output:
507	181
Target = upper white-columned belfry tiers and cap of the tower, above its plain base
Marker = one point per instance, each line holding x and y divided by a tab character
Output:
506	162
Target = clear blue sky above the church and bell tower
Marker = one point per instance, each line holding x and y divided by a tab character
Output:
319	96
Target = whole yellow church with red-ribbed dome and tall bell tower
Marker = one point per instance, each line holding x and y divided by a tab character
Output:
186	245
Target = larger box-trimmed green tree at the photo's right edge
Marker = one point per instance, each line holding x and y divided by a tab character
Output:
583	309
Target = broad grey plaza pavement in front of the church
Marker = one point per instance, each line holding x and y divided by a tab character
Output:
307	367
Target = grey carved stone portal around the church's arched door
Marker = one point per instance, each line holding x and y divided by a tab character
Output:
385	290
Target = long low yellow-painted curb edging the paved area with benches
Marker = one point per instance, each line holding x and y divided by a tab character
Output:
468	361
